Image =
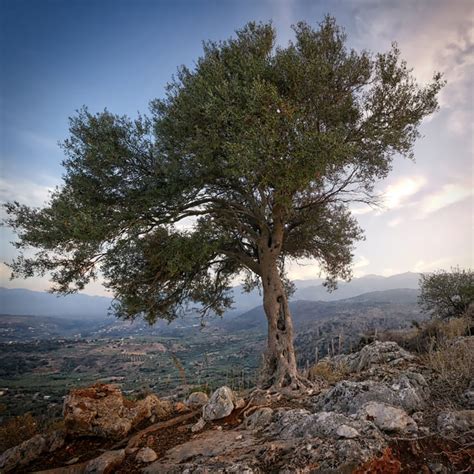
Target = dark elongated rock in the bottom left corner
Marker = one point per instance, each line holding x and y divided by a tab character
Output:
31	449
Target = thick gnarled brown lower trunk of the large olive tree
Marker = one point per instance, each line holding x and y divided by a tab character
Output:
280	362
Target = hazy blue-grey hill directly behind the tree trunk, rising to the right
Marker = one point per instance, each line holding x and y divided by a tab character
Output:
325	327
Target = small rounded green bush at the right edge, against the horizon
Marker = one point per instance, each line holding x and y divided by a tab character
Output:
447	294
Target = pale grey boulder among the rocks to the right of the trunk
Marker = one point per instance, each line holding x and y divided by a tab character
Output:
388	418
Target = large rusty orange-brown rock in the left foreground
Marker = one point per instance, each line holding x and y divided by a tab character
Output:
101	410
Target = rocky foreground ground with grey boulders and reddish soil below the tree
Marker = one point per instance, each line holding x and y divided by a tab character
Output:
375	414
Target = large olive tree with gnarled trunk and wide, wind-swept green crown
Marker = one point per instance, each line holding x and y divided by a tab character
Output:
264	147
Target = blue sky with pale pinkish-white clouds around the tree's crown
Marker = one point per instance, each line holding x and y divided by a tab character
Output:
57	56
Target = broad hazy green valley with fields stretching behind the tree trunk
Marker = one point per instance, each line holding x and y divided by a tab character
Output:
43	358
